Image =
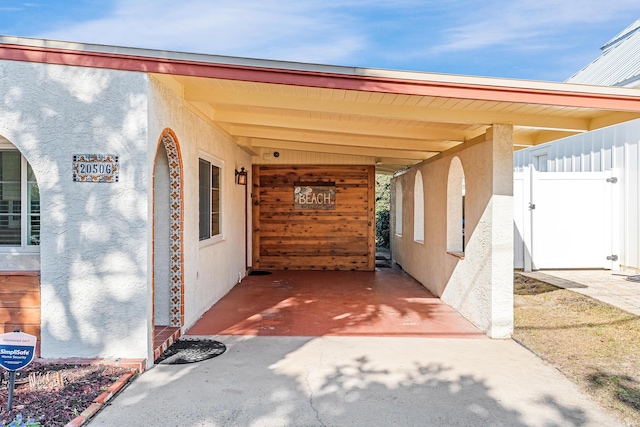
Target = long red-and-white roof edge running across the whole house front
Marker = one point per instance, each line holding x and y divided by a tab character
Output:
321	76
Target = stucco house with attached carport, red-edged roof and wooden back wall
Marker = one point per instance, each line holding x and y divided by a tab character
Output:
319	130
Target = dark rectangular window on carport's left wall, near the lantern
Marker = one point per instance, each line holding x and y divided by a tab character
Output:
210	179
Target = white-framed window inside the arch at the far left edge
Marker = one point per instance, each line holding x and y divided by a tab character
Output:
19	202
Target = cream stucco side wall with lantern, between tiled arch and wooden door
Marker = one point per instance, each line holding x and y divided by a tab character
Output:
210	270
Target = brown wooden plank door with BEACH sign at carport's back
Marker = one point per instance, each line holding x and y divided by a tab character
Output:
333	231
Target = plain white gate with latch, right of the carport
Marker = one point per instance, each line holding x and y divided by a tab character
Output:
563	220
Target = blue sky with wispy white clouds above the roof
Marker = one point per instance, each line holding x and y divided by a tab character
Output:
524	39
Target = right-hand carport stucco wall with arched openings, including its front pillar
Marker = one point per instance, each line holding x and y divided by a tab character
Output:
479	286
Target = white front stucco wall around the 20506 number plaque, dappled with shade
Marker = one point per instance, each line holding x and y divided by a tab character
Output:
93	253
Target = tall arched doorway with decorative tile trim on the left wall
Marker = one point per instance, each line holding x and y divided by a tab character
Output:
168	288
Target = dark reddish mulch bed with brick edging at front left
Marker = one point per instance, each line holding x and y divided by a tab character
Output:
54	394
